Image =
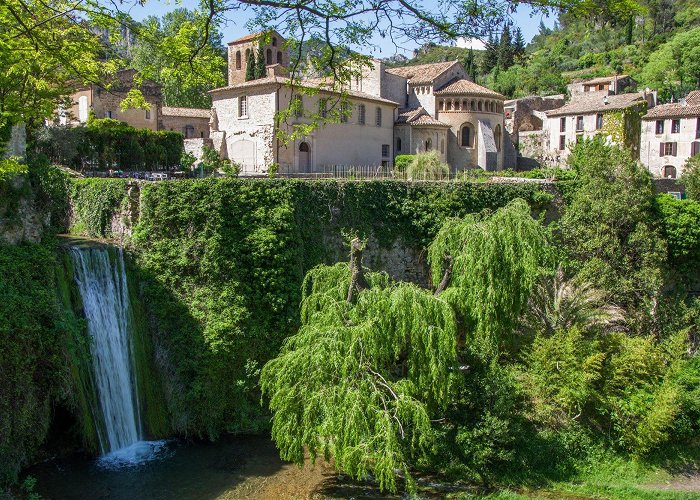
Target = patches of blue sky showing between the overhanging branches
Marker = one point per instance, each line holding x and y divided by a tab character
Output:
233	29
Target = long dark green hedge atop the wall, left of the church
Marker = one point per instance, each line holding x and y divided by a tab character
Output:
110	144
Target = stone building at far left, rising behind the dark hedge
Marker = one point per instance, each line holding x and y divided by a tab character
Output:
105	103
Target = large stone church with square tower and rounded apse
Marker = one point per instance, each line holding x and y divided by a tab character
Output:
392	111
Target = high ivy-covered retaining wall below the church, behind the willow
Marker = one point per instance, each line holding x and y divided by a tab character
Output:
220	263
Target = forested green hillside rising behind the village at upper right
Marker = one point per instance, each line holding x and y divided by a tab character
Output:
655	41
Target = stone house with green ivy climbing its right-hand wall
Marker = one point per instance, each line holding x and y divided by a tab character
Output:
616	116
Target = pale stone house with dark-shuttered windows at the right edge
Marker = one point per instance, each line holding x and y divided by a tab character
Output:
671	135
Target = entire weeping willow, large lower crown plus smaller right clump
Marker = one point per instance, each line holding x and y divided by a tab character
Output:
375	363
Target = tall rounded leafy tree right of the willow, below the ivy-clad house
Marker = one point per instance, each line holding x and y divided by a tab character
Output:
608	230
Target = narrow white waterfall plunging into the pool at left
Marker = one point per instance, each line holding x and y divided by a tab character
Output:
101	279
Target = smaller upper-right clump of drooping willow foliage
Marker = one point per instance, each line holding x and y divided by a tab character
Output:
494	261
